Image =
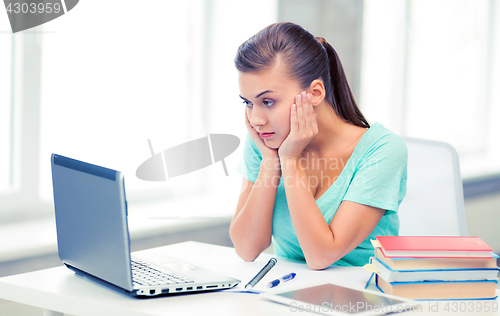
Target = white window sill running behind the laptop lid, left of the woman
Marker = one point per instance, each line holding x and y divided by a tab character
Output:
28	239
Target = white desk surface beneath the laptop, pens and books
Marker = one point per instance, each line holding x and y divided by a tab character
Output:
58	290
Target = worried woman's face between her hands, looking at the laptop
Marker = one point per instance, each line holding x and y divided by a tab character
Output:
268	96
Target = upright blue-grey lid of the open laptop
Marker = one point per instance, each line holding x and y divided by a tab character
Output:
91	220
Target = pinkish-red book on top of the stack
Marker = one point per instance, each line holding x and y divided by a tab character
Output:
434	246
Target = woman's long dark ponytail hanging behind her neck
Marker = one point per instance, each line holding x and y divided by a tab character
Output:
340	96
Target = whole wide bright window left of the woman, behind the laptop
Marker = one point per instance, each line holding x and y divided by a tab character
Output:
110	79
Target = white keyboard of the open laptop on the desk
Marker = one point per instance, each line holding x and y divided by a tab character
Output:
144	274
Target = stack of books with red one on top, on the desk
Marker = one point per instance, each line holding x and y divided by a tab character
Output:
434	267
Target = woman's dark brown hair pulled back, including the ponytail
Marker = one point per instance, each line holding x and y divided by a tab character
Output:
308	58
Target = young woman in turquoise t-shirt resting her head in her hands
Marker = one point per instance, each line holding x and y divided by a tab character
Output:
319	181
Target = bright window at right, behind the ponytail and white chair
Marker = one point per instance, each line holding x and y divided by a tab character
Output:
429	68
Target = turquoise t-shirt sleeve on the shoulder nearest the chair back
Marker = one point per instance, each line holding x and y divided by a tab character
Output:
380	176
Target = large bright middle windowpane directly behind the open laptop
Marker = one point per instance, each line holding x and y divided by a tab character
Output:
110	86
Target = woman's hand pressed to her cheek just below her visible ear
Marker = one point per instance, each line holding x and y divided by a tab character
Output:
303	127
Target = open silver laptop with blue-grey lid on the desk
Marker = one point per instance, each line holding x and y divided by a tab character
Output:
93	238
